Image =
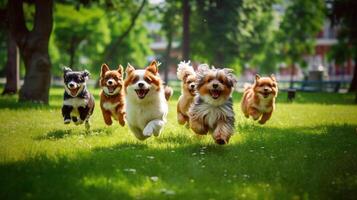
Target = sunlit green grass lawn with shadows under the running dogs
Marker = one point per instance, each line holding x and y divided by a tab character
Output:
308	150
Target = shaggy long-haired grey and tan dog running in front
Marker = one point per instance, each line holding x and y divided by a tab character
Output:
212	110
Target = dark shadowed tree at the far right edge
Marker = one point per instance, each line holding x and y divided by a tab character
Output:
343	14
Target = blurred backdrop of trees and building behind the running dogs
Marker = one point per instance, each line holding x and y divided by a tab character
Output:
309	45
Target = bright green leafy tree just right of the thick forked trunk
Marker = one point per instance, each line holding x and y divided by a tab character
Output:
82	33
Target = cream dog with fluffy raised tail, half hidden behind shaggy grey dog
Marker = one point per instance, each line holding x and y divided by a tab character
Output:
187	75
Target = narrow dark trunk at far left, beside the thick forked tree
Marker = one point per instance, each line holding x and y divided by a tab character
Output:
12	67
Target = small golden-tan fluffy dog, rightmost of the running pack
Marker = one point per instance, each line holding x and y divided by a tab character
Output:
259	99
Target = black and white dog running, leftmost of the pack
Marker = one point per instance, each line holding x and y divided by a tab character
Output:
78	104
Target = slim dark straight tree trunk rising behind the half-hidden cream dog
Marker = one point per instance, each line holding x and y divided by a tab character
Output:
186	30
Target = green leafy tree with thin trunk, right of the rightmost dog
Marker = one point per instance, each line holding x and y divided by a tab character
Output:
303	19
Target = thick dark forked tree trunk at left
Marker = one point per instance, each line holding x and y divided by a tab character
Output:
33	46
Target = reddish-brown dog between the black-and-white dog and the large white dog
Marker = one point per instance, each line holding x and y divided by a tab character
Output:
112	95
